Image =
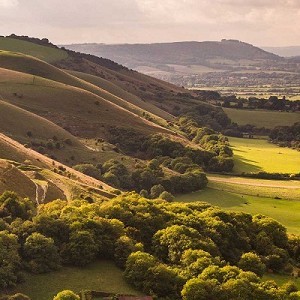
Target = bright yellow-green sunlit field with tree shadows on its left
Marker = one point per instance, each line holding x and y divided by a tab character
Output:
254	155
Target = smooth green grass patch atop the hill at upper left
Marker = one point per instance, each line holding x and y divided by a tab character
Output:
47	54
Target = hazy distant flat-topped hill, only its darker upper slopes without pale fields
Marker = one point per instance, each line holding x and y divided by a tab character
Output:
184	53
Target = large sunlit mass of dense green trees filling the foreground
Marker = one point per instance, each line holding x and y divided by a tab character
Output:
168	250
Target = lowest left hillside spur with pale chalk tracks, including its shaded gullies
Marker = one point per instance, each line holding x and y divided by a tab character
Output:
60	180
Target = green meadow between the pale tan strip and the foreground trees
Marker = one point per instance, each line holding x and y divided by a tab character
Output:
284	211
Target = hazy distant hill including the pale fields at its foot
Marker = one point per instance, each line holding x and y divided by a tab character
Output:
180	62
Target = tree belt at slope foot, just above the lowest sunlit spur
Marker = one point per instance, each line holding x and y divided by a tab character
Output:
151	180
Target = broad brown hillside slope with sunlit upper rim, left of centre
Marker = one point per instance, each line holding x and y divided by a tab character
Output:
83	113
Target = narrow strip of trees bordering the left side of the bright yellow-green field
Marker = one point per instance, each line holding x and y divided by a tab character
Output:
211	141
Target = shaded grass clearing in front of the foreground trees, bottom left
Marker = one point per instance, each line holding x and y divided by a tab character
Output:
102	276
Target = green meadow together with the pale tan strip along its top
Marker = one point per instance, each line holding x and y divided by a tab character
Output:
253	200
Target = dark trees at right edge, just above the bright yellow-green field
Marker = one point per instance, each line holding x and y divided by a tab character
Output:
286	136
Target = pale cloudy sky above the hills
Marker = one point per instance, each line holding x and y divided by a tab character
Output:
260	22
